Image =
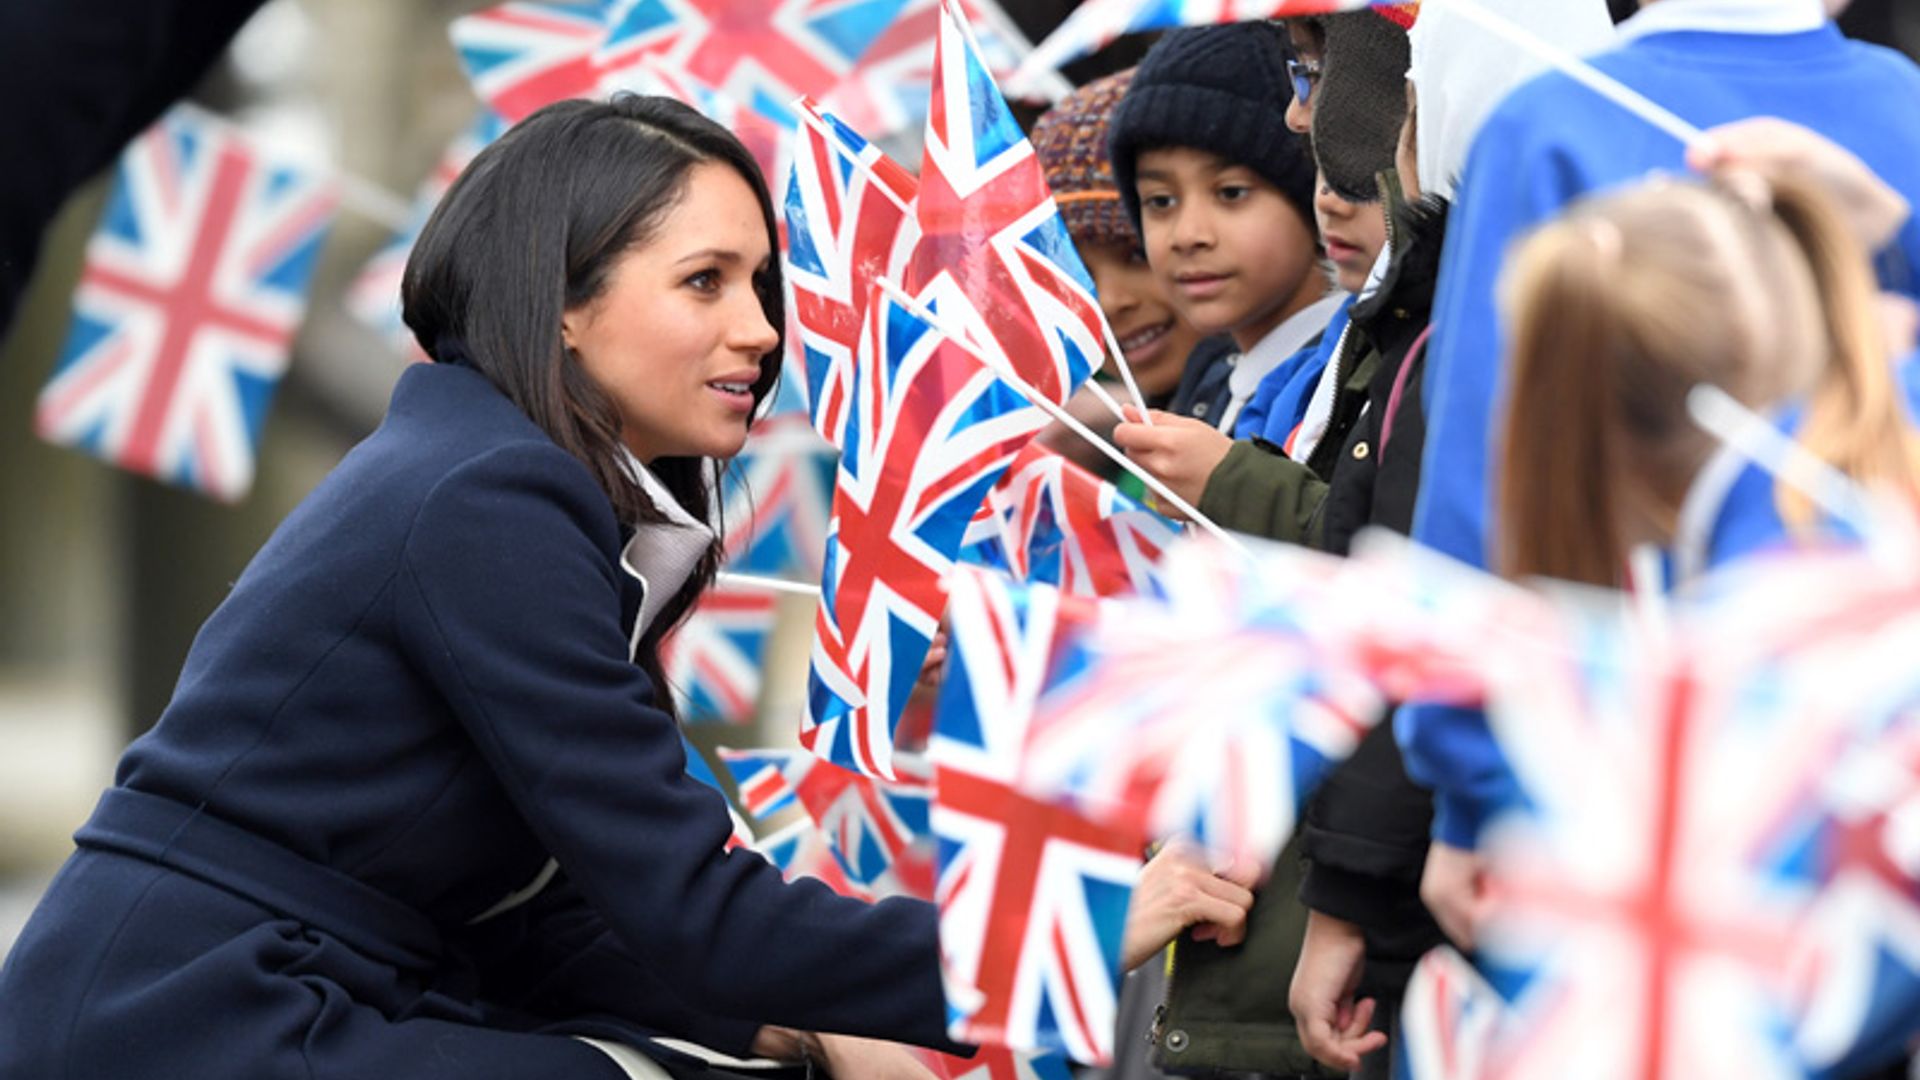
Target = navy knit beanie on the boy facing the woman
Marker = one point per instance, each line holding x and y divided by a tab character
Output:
1222	89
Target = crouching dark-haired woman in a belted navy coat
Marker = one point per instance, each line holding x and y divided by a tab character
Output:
420	806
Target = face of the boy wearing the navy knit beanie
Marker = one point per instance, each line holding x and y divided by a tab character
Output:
1228	249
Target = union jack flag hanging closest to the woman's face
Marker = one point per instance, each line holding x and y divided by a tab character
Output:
850	224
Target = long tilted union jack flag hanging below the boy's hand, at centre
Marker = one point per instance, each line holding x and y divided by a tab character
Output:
930	431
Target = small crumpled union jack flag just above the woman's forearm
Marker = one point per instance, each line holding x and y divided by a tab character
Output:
873	827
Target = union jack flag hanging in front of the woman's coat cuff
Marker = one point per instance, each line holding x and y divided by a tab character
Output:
1034	898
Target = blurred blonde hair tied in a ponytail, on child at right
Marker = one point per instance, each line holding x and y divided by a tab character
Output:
1633	299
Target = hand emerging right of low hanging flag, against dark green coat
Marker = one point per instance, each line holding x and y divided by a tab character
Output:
1178	891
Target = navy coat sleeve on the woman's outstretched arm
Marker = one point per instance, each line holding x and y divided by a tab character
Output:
510	604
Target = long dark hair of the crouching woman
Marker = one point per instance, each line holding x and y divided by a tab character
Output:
533	230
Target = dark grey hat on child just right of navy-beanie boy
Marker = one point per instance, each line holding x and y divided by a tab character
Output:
1360	103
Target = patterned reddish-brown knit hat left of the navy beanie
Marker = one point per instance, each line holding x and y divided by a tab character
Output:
1072	147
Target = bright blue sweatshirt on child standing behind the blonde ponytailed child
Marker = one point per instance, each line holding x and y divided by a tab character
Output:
1545	147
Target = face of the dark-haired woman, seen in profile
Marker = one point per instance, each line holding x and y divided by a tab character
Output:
679	333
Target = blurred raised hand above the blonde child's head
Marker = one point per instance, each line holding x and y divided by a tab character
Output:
1779	149
